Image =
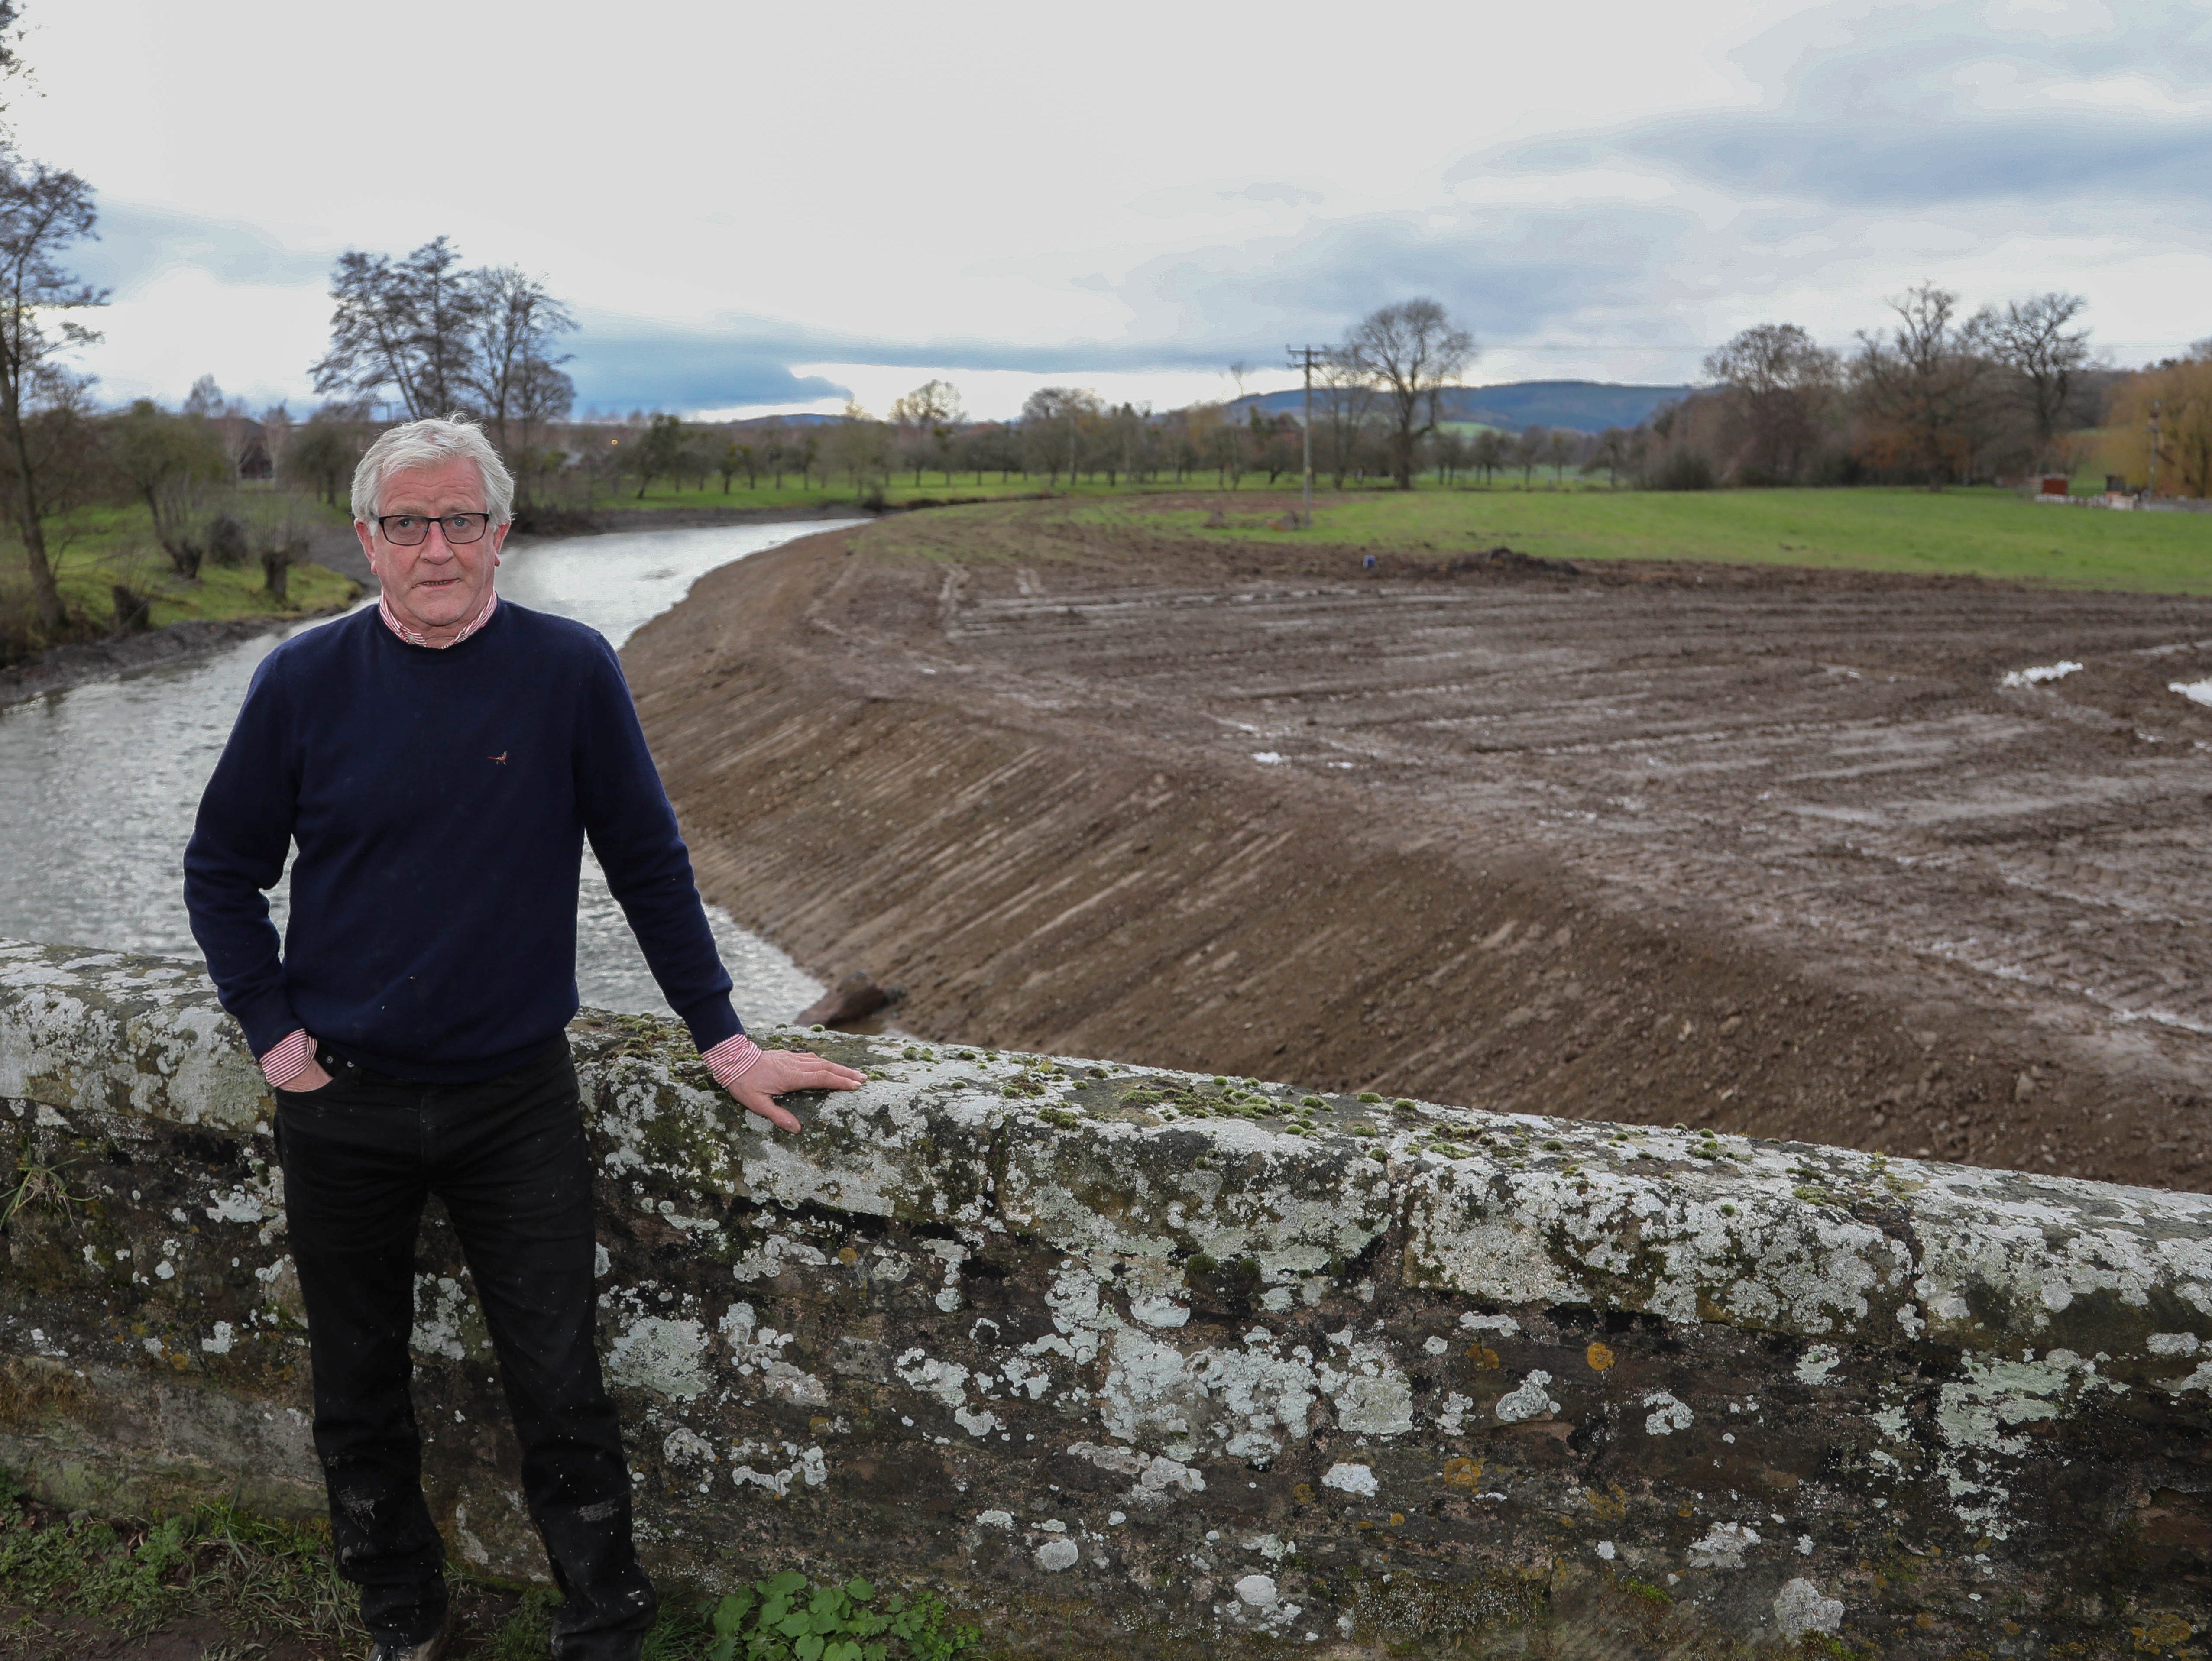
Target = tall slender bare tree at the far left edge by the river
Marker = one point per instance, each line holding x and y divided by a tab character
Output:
41	213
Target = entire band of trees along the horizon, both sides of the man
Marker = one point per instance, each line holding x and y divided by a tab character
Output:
1937	397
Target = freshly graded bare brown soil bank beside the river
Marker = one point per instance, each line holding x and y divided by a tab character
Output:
1751	848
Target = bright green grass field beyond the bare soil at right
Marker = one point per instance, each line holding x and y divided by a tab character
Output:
1976	532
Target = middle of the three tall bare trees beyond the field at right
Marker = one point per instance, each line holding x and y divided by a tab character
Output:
1930	382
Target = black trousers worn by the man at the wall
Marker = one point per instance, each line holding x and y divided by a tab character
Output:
510	1162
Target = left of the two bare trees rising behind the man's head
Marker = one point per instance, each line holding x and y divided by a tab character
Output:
406	326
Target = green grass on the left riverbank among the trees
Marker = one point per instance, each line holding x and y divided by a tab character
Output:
101	547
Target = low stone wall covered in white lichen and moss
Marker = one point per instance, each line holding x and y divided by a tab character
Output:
1149	1364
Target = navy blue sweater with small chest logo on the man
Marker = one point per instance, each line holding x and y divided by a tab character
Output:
441	804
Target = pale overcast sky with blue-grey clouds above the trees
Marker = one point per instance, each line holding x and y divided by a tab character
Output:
773	207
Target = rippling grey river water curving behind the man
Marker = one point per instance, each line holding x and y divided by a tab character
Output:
98	784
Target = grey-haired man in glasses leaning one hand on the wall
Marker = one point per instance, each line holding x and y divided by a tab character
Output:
439	762
